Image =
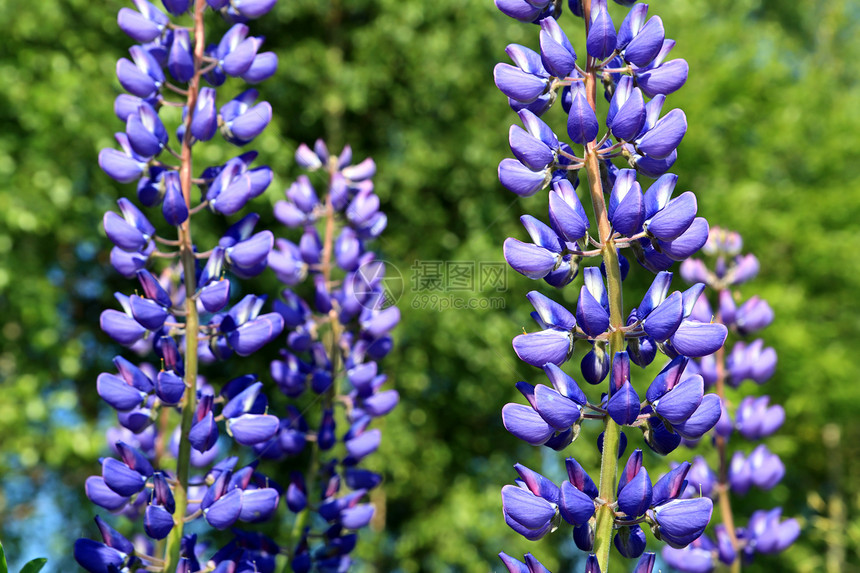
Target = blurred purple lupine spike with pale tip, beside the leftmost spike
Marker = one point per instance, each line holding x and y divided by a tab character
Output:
330	362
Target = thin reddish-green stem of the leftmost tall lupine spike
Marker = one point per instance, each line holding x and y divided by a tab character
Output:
192	320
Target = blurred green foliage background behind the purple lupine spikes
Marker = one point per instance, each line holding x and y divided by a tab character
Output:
772	151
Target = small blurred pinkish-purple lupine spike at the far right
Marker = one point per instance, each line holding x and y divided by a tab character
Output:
755	418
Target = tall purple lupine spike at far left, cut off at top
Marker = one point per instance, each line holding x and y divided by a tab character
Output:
172	461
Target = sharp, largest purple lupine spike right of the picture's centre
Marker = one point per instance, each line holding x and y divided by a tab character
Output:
658	227
